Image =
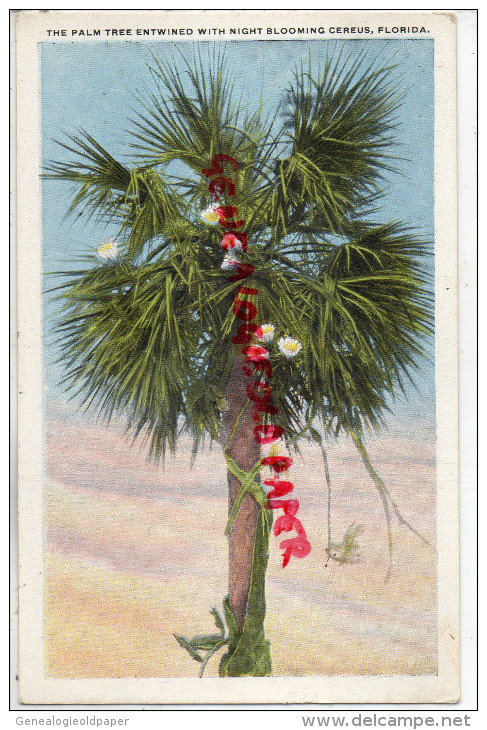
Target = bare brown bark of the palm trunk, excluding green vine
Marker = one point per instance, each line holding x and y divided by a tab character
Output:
245	451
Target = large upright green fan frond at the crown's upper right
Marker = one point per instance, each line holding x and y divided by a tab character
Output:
339	127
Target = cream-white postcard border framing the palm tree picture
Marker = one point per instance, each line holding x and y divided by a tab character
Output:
35	688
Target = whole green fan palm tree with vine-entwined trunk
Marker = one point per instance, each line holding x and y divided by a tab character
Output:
150	332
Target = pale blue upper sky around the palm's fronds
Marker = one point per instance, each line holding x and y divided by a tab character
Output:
93	86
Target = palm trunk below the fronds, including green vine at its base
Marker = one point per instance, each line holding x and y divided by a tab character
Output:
248	652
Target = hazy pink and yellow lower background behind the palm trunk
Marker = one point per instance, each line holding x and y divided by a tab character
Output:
135	552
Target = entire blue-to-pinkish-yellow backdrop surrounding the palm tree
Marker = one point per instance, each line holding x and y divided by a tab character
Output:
135	552
